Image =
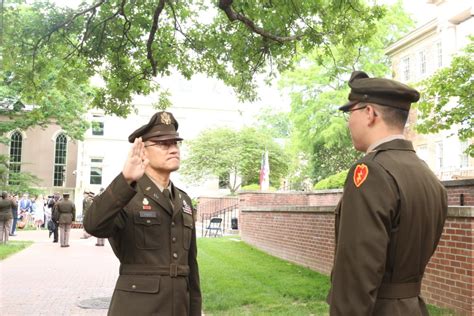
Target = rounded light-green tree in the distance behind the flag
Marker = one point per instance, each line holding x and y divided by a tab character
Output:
225	152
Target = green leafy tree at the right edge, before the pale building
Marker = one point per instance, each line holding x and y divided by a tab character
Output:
447	99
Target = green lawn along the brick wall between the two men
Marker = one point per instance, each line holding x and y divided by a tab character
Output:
237	279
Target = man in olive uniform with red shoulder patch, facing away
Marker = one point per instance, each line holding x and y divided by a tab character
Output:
391	215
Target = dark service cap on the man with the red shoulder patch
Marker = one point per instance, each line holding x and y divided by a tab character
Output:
381	91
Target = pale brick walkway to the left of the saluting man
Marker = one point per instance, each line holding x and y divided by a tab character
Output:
45	279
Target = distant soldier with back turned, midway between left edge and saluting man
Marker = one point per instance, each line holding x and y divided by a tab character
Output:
64	213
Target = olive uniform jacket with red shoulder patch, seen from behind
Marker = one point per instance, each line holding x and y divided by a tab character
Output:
387	229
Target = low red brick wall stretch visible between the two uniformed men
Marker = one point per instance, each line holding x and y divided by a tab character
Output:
302	235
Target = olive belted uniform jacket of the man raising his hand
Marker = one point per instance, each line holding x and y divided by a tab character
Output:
156	246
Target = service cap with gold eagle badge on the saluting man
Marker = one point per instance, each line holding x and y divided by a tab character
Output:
162	126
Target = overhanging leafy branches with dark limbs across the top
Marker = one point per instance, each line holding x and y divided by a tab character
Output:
130	44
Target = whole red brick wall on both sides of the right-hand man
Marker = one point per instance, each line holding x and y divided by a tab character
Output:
305	235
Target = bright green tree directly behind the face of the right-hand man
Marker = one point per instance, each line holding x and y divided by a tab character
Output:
318	86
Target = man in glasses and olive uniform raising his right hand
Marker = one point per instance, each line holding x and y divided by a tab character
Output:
150	226
